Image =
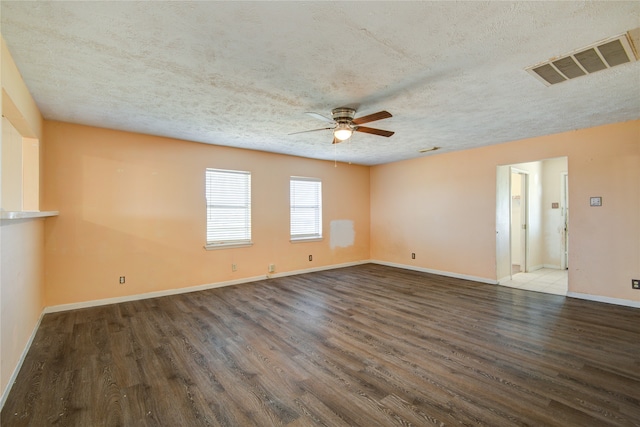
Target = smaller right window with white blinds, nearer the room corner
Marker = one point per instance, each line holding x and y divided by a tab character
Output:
306	208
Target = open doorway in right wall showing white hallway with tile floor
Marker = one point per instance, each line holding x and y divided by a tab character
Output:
532	225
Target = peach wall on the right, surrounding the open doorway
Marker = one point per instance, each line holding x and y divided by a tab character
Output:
443	208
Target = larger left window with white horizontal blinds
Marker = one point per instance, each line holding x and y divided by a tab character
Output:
228	208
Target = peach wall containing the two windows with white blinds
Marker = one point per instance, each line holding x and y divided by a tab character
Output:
133	205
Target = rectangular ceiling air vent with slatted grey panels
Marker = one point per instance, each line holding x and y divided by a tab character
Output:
599	56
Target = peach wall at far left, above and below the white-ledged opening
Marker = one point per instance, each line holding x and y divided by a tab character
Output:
21	241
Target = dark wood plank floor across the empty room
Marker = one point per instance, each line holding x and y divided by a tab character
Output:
367	345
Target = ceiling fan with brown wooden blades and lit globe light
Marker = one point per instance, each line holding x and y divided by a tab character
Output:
344	123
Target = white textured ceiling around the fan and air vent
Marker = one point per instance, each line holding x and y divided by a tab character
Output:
244	73
